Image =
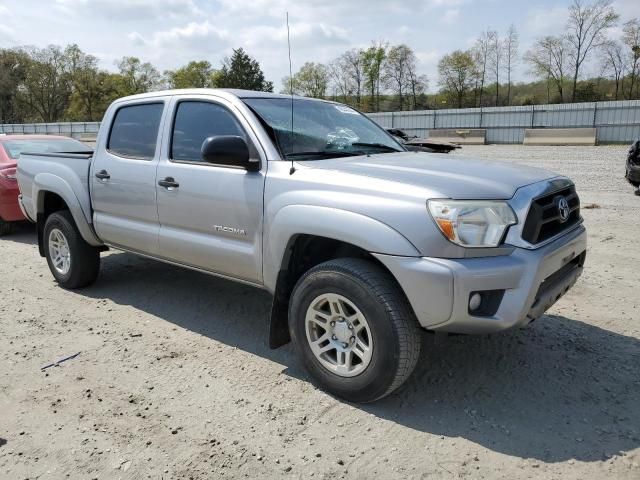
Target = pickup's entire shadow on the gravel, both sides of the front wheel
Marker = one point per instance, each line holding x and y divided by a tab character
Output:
559	390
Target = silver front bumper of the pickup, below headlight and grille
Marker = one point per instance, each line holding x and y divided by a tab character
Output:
532	281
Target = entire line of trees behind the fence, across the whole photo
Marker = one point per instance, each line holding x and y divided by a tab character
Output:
66	84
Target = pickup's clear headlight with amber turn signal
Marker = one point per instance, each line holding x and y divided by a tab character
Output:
472	223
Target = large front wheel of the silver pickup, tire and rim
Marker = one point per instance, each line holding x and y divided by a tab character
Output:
358	288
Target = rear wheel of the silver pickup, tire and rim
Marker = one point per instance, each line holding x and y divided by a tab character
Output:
83	260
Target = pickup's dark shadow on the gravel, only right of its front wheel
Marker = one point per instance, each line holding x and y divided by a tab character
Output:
559	390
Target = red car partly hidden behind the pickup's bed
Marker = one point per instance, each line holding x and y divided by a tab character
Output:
10	148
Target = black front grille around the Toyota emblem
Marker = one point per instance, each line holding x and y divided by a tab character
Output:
544	221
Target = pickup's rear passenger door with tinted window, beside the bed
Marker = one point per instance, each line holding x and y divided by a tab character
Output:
123	177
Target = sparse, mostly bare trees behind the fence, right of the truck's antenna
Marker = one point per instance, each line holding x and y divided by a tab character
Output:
386	77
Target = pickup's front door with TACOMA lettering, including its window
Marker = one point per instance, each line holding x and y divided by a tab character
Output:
212	219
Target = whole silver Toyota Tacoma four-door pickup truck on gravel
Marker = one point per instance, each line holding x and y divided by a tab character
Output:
361	242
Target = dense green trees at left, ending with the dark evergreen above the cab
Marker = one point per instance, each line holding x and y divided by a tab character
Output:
55	84
